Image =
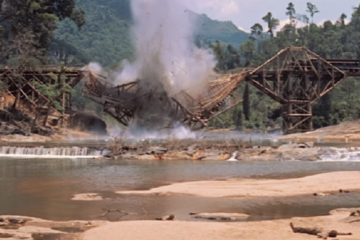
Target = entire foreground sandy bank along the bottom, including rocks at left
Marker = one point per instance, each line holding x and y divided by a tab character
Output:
38	229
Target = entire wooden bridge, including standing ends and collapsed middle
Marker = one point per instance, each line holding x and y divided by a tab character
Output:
295	77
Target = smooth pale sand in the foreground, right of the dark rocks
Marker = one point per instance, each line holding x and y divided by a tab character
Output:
264	230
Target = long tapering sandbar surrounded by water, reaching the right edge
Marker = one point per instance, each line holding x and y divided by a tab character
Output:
321	183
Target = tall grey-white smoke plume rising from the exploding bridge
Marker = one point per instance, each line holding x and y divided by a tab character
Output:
167	65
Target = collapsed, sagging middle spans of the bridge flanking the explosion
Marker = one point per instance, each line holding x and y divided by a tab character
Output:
121	102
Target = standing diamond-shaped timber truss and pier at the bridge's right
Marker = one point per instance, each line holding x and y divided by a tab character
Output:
297	78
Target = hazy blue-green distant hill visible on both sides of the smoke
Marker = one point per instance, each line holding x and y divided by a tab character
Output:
105	38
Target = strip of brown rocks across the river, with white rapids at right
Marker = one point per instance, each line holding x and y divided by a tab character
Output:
230	152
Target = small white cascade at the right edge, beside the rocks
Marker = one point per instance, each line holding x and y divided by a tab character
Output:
333	154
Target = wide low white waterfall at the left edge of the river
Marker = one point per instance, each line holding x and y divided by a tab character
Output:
52	152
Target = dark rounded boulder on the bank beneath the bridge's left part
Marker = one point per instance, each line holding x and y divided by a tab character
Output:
87	122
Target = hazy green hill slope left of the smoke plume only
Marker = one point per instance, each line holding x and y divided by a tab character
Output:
106	36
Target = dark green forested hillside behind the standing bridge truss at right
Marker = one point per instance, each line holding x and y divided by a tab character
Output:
330	40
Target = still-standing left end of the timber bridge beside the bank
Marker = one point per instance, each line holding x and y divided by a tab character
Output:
20	85
